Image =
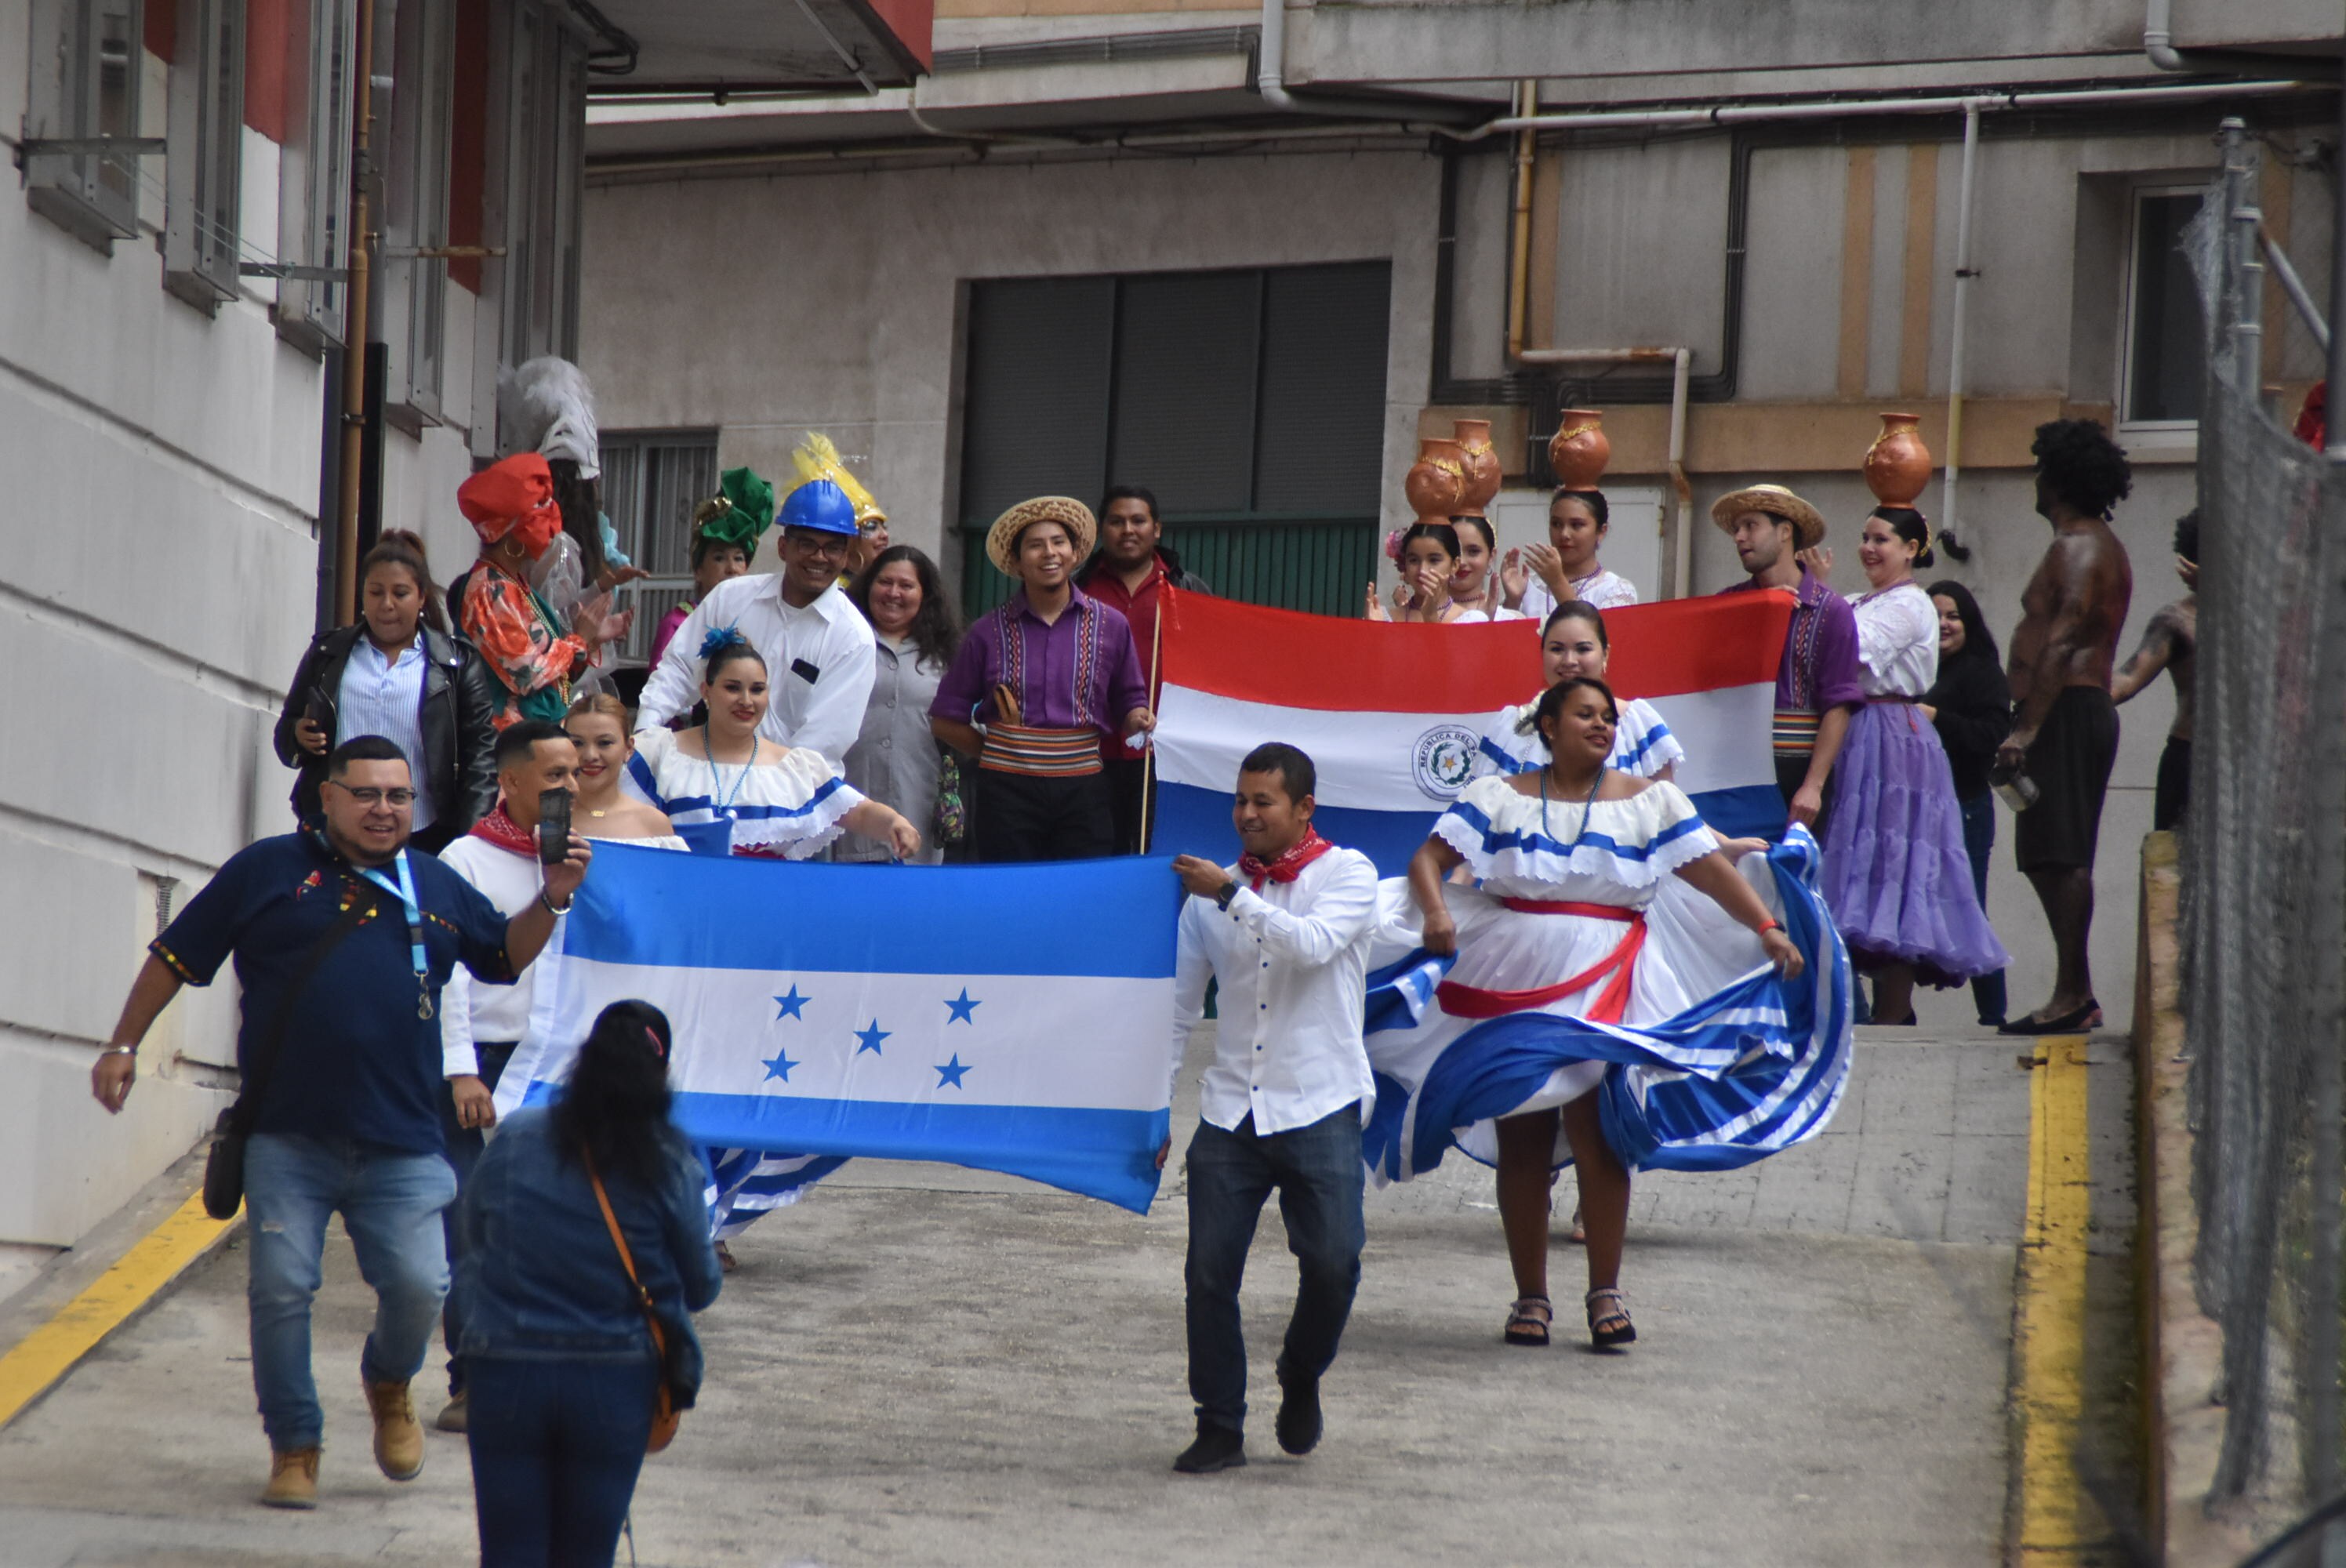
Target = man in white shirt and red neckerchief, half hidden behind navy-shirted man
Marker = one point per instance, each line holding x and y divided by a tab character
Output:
480	1022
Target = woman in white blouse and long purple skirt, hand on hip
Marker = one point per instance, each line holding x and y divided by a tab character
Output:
1897	877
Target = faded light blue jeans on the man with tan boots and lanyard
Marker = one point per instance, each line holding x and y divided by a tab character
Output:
393	1205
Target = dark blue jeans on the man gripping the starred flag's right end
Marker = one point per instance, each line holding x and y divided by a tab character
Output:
1317	1172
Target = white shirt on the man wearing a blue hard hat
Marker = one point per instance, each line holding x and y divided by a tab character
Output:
818	663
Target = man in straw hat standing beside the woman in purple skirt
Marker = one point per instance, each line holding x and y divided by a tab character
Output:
1817	684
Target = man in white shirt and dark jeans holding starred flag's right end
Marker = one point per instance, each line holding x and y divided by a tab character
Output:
1287	935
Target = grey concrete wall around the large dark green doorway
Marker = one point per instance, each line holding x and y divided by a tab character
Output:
829	302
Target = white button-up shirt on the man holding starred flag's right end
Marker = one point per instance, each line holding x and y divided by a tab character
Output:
1291	966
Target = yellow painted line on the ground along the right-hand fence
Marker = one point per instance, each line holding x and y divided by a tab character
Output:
2059	1522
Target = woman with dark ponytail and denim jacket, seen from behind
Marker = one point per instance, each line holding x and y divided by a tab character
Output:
560	1358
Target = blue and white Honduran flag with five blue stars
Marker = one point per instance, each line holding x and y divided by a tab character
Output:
1005	1018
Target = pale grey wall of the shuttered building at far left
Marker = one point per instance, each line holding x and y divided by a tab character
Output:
158	557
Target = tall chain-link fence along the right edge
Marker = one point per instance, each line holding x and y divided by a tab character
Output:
2265	893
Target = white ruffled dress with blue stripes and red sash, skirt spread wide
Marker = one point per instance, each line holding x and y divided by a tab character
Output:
1704	1053
